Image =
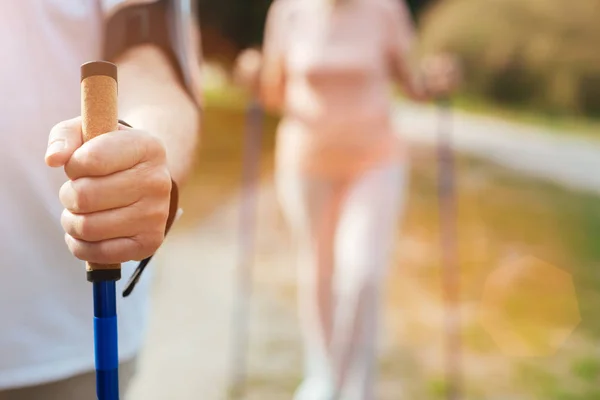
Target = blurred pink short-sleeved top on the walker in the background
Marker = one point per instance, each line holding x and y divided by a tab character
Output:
338	63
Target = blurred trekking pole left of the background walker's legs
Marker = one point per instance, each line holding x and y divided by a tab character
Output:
241	312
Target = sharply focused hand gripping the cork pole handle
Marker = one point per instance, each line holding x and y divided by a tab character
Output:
117	197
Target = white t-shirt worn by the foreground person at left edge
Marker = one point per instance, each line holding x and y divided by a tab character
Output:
46	313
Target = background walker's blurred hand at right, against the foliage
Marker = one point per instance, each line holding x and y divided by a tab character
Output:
442	74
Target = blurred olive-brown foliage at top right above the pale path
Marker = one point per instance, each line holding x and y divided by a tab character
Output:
536	53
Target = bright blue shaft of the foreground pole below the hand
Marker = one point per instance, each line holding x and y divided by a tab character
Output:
106	340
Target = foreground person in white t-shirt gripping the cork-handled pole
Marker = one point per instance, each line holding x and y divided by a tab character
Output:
115	205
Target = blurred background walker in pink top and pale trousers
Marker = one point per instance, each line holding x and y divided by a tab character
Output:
341	170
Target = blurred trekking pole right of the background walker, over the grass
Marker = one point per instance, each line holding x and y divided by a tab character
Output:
450	267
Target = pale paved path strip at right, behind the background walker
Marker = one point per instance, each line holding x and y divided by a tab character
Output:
562	158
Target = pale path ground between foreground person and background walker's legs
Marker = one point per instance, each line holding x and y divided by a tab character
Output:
188	354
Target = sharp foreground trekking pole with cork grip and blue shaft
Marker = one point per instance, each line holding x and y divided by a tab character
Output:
99	116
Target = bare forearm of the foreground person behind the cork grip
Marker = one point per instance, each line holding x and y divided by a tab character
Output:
151	99
